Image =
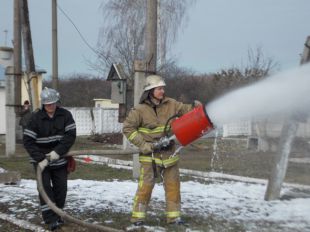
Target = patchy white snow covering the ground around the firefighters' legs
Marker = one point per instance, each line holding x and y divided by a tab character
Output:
232	201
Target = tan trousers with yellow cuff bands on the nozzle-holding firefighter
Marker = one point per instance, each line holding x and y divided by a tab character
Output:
171	182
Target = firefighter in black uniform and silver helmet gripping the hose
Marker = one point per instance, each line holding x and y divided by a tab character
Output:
48	137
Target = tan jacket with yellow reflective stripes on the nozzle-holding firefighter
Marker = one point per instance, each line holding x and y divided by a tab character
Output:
145	125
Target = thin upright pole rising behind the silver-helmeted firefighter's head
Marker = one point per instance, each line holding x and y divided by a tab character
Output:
54	45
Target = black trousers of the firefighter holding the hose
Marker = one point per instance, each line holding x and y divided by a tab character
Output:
55	185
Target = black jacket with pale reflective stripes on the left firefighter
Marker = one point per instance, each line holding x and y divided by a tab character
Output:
44	134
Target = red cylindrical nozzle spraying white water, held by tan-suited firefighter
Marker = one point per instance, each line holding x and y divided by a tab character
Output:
191	125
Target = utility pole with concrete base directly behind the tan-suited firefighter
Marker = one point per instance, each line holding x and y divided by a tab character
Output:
144	68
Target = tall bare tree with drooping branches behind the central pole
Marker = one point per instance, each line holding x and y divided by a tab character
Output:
121	38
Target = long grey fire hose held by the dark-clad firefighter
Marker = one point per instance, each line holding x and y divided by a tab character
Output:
63	214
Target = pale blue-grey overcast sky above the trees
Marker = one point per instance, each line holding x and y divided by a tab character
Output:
218	33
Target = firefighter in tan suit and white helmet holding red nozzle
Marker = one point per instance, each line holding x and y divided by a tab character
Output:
143	127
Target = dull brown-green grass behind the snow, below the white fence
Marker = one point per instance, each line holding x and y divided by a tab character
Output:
232	157
